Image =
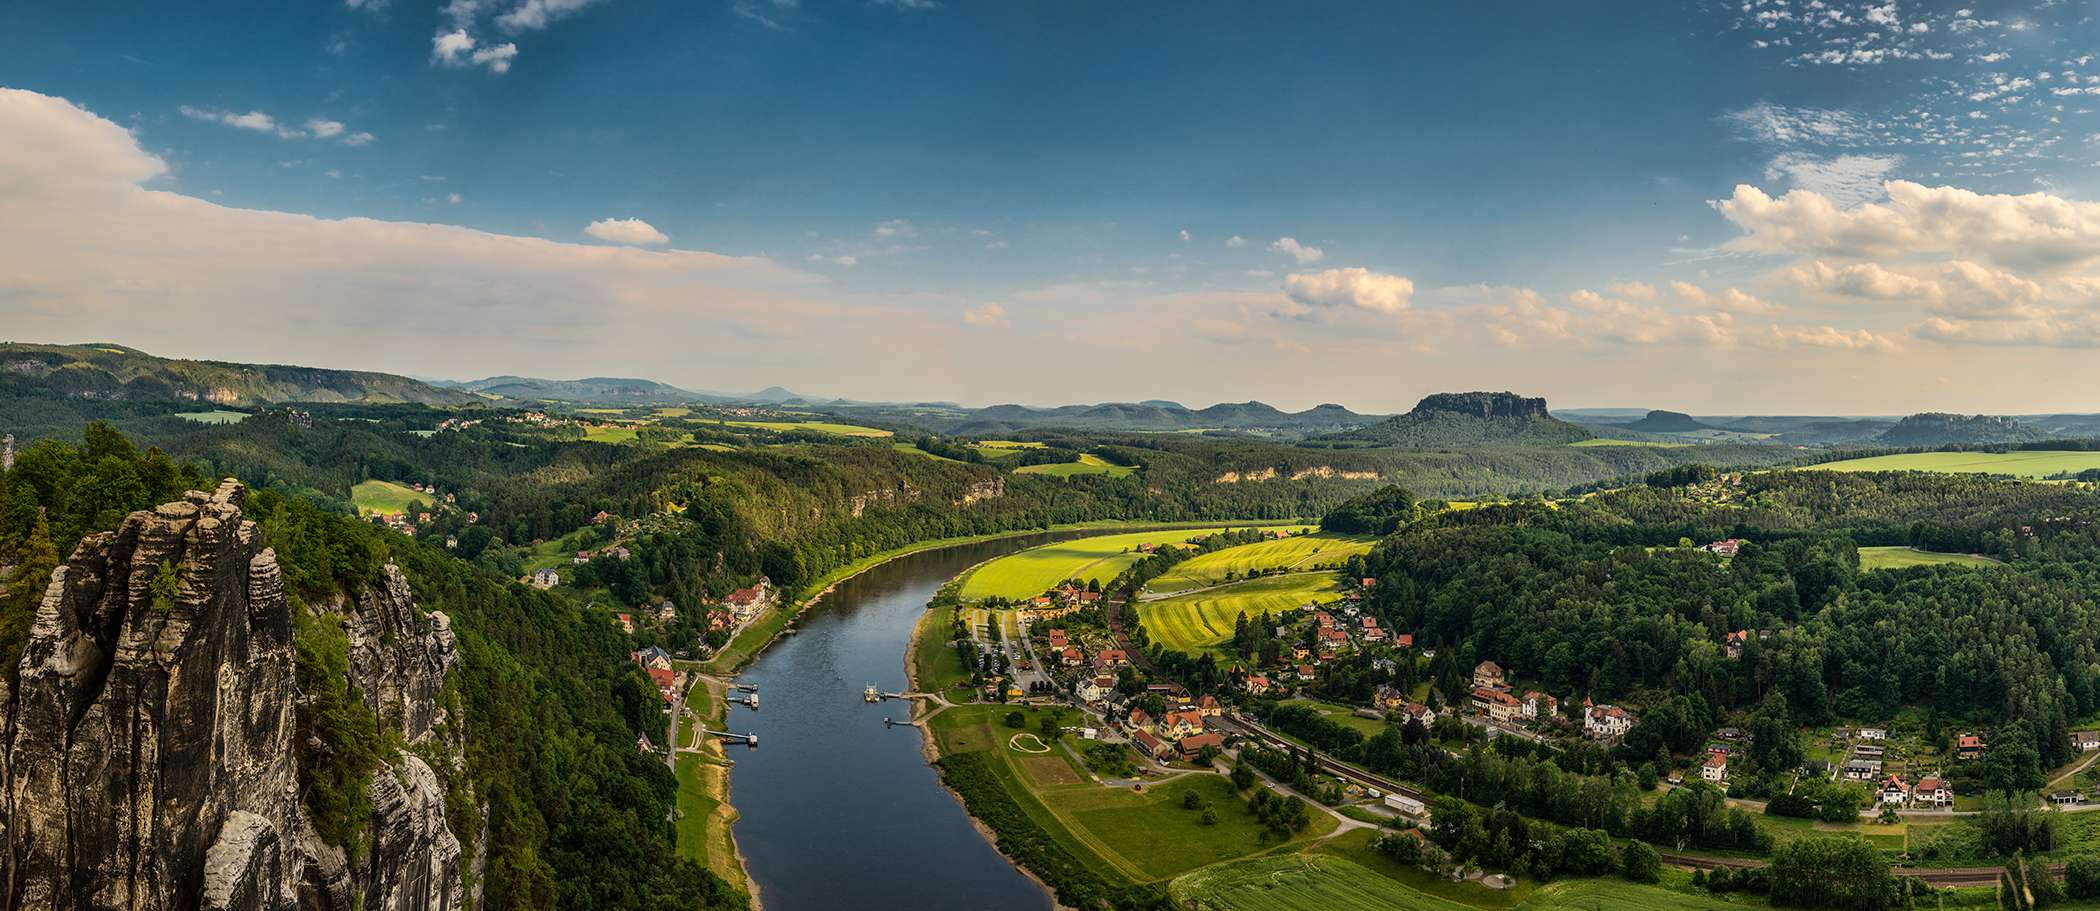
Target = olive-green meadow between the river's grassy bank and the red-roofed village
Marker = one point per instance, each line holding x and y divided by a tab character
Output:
1127	836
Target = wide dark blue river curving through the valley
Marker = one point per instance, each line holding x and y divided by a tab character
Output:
839	811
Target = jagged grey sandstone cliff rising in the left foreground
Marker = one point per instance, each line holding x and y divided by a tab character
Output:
150	757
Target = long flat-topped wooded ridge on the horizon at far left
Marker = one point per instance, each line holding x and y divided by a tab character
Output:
112	373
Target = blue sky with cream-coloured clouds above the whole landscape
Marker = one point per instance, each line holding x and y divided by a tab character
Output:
1755	207
